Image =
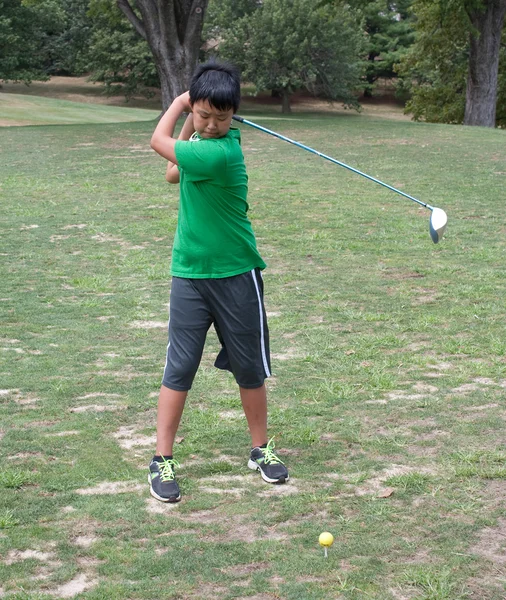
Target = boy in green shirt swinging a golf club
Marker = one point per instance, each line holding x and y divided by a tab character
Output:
215	270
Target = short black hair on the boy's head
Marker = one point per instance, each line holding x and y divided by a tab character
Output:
217	82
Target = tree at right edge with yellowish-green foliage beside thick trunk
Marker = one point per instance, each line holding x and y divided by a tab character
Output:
450	80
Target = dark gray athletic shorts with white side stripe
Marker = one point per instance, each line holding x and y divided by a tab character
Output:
234	305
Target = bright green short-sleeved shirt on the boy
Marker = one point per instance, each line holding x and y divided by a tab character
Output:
214	237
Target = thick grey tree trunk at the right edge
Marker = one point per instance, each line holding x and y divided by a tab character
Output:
481	94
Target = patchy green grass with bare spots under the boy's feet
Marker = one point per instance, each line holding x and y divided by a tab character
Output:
387	399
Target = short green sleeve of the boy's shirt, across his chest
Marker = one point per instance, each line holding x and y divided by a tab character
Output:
200	160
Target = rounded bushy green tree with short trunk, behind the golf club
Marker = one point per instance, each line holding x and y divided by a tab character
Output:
287	45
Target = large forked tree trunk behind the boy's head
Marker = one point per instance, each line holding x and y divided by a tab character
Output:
173	31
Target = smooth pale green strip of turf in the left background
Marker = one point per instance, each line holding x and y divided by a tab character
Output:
18	109
